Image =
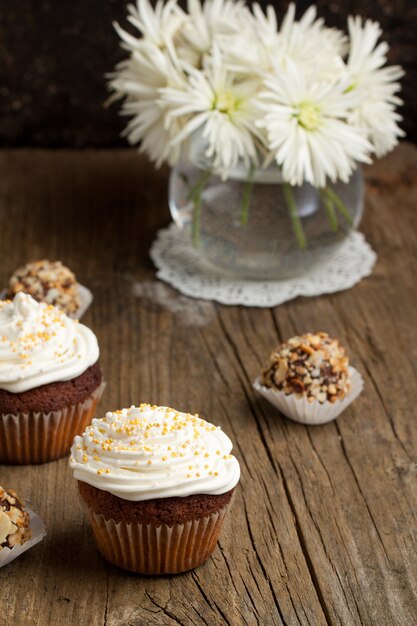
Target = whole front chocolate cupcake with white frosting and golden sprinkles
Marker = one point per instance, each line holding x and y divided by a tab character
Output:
156	484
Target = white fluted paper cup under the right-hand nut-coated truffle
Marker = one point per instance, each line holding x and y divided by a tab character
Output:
311	413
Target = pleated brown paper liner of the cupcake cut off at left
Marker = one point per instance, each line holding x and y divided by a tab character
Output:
39	437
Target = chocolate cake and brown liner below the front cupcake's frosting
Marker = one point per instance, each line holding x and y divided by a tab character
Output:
136	543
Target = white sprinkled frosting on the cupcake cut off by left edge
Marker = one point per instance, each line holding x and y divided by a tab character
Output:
39	344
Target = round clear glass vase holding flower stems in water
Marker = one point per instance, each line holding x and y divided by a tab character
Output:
253	225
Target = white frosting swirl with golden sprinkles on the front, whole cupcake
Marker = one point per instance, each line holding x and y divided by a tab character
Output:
150	452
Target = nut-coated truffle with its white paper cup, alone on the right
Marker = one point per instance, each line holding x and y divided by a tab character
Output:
308	378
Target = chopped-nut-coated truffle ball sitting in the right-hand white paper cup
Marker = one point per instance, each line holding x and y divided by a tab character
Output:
313	366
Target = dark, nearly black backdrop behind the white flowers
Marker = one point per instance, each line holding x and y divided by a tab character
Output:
54	55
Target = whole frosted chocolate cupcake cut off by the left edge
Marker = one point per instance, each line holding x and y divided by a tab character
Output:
50	380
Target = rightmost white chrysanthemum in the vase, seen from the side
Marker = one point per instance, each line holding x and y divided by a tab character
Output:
375	85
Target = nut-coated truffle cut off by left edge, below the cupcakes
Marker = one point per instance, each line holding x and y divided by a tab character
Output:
14	520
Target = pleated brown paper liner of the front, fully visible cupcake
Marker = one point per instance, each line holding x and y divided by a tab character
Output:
151	549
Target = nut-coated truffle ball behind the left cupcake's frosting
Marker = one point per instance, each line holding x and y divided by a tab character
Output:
47	281
